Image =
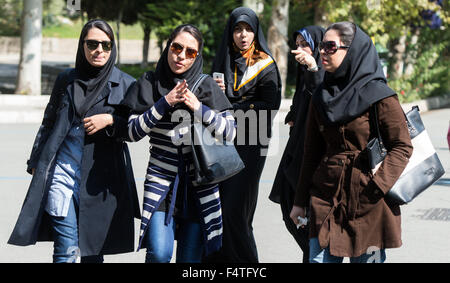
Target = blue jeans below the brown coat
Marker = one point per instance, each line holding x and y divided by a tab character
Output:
319	255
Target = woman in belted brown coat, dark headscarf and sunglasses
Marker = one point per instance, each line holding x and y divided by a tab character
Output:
348	212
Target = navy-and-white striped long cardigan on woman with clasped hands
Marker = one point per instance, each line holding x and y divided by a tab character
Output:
170	162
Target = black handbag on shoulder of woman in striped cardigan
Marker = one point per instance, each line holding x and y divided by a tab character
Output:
214	160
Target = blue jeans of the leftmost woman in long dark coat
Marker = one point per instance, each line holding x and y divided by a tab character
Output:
65	234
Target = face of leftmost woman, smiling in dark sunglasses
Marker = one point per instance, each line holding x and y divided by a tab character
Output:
97	57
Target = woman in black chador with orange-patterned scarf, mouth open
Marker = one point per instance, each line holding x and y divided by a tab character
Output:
252	84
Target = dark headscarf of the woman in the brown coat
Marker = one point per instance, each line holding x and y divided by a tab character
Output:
355	85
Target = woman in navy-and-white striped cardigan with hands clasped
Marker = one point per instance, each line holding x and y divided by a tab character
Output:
162	105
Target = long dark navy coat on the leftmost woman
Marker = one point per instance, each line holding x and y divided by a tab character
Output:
108	197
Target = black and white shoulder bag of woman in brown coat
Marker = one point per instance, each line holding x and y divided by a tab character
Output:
424	167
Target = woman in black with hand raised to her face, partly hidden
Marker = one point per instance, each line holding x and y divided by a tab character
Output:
309	76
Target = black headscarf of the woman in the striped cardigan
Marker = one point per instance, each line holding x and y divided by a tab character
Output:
154	85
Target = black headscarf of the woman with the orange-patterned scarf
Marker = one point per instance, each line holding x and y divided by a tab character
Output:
227	59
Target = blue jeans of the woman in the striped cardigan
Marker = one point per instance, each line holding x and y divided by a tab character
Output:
160	239
